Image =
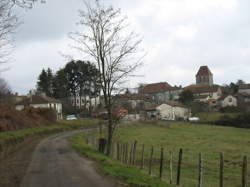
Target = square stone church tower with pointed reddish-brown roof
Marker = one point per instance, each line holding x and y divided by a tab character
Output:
204	76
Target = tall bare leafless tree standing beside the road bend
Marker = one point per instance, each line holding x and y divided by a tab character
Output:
108	42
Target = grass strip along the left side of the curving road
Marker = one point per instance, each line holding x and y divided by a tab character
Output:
62	125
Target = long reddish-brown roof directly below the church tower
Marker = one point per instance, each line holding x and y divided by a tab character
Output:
202	88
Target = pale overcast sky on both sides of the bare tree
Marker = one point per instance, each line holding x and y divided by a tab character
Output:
179	37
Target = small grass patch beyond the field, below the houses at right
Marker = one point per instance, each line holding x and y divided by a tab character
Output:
214	116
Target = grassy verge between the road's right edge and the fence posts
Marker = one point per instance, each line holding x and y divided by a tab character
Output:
129	174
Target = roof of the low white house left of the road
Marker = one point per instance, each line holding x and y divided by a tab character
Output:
37	99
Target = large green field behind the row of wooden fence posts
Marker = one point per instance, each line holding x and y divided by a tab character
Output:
193	139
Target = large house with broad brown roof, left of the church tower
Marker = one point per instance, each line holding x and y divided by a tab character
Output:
161	92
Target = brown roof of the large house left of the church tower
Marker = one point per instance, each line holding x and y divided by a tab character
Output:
157	87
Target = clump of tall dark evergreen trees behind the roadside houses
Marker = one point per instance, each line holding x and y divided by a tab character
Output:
77	78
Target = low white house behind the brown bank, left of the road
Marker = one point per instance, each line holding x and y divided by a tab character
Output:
41	101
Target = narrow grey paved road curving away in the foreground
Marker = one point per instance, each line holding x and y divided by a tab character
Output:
55	164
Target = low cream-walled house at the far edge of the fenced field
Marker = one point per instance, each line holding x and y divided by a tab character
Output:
170	111
